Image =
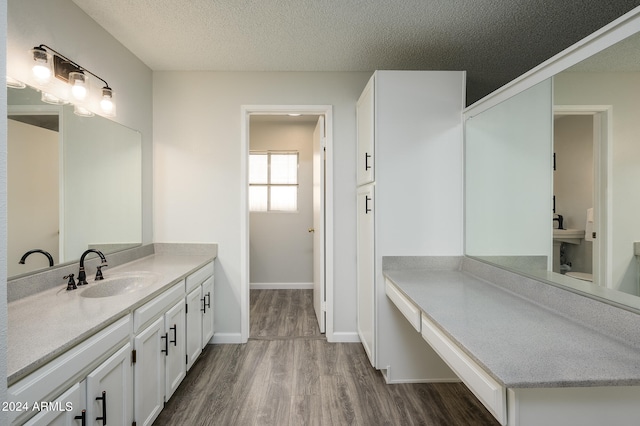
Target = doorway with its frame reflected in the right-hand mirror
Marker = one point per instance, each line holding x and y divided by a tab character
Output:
581	189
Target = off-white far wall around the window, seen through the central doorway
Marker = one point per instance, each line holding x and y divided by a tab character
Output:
281	248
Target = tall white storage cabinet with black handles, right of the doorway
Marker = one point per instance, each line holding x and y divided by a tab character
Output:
410	191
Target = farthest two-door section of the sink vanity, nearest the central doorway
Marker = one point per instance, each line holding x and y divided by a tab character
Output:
199	306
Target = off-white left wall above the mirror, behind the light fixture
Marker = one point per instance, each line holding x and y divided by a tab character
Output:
63	26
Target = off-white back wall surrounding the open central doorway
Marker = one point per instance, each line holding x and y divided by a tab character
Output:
197	140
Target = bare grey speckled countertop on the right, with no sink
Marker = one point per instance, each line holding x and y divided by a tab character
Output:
519	343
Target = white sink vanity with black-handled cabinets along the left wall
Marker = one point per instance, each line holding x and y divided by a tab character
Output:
116	348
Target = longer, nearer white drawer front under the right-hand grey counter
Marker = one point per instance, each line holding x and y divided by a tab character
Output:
488	390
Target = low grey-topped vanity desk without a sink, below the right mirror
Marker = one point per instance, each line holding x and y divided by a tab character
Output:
515	345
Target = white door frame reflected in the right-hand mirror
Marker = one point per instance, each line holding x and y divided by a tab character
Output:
602	179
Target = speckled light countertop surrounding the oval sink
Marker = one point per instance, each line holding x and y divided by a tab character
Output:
46	324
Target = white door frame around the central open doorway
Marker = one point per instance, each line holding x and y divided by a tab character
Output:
246	112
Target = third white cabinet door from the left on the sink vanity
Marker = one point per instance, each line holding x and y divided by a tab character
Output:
149	372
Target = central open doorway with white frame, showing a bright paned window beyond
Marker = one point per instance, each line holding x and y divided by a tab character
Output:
298	227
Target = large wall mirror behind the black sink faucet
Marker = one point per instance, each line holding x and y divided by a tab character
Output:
73	183
